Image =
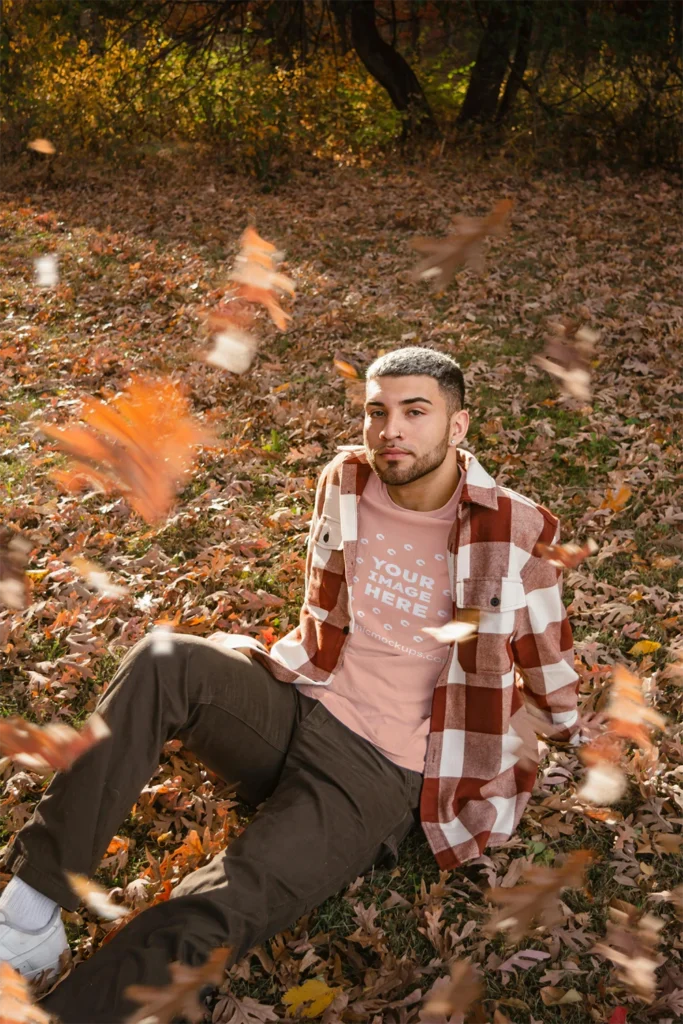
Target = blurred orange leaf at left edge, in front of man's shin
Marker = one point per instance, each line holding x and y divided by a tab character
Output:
52	747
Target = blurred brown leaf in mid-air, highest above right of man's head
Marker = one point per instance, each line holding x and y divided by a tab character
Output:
462	248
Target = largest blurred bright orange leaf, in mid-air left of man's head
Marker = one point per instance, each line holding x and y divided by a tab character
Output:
144	449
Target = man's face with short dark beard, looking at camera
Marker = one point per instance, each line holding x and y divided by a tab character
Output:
407	429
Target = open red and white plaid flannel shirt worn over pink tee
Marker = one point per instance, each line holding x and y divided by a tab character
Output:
476	789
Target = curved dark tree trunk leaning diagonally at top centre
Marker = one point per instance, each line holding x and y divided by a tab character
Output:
391	70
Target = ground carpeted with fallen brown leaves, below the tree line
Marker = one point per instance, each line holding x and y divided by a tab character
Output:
142	260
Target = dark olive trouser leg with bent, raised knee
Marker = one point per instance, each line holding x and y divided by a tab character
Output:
228	709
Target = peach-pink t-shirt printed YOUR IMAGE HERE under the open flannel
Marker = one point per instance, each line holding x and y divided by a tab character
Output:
383	690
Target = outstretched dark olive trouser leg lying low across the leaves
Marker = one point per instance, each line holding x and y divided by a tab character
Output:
338	804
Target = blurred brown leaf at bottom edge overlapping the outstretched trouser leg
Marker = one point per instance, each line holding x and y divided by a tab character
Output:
163	1004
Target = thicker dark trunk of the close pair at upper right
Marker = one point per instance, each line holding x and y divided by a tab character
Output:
492	64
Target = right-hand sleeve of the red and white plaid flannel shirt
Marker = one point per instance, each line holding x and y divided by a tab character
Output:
543	650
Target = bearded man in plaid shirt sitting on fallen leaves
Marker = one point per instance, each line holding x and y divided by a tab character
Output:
385	721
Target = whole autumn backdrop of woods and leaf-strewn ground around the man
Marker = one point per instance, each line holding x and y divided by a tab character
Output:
343	130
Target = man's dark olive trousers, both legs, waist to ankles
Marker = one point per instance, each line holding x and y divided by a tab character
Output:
333	807
